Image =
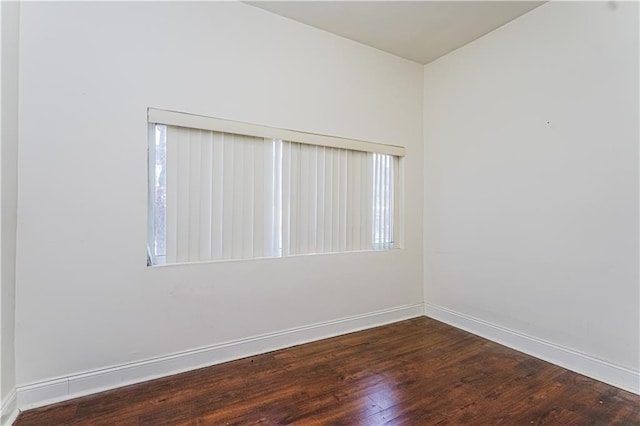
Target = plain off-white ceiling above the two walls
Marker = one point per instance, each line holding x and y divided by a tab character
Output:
420	31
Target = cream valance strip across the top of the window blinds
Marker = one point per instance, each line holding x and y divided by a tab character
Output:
193	121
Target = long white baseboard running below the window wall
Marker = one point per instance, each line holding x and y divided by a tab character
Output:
73	386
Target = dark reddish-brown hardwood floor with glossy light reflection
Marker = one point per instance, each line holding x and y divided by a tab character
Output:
415	372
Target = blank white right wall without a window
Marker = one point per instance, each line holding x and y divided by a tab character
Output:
531	180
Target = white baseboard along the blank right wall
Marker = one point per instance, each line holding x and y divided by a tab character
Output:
603	371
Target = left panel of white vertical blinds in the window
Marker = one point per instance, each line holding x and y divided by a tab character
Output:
219	197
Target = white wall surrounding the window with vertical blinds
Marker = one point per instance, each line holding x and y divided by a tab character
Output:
88	71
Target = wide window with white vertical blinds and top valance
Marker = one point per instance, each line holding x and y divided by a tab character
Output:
226	190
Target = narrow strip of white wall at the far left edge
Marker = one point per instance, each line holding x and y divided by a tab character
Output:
10	16
